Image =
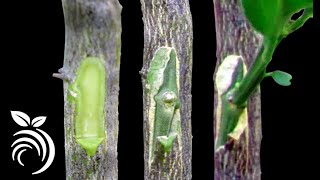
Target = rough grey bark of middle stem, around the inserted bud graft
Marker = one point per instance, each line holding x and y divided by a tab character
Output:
169	23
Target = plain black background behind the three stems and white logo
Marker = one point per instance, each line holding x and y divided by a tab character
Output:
33	39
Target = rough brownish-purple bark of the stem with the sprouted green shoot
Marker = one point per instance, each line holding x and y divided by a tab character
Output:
241	159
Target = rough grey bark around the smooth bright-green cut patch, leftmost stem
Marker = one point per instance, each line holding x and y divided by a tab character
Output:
93	28
